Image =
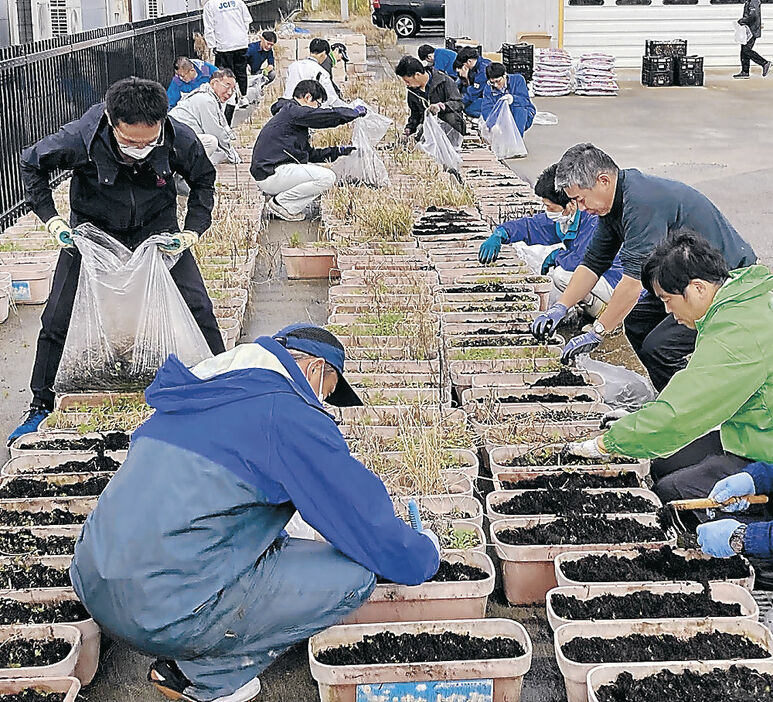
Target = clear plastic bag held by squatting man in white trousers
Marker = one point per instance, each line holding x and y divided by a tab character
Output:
364	166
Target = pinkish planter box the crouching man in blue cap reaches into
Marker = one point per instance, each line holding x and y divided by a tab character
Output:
430	601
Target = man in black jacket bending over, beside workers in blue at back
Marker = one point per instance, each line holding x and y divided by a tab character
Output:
433	90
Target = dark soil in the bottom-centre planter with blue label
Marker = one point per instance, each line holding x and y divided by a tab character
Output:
387	647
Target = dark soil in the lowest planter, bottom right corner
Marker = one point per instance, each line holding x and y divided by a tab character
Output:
736	684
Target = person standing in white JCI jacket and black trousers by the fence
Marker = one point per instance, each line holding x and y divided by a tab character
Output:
226	31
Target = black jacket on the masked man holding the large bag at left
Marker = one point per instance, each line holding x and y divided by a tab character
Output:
130	201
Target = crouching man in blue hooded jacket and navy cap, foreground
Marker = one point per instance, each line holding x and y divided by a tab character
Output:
186	558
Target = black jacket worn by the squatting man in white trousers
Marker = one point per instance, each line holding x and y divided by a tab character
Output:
285	137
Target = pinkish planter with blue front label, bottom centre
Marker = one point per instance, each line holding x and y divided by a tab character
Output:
340	683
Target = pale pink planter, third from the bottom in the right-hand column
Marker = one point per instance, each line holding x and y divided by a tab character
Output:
720	592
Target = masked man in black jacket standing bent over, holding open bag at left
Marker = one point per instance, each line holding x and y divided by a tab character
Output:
124	154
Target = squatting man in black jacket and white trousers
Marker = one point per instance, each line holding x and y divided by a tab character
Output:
282	155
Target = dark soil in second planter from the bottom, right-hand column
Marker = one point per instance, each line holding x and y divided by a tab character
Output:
665	647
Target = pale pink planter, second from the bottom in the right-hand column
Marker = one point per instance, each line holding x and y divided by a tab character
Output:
575	674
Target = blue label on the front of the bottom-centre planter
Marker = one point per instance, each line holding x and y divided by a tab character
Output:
428	691
